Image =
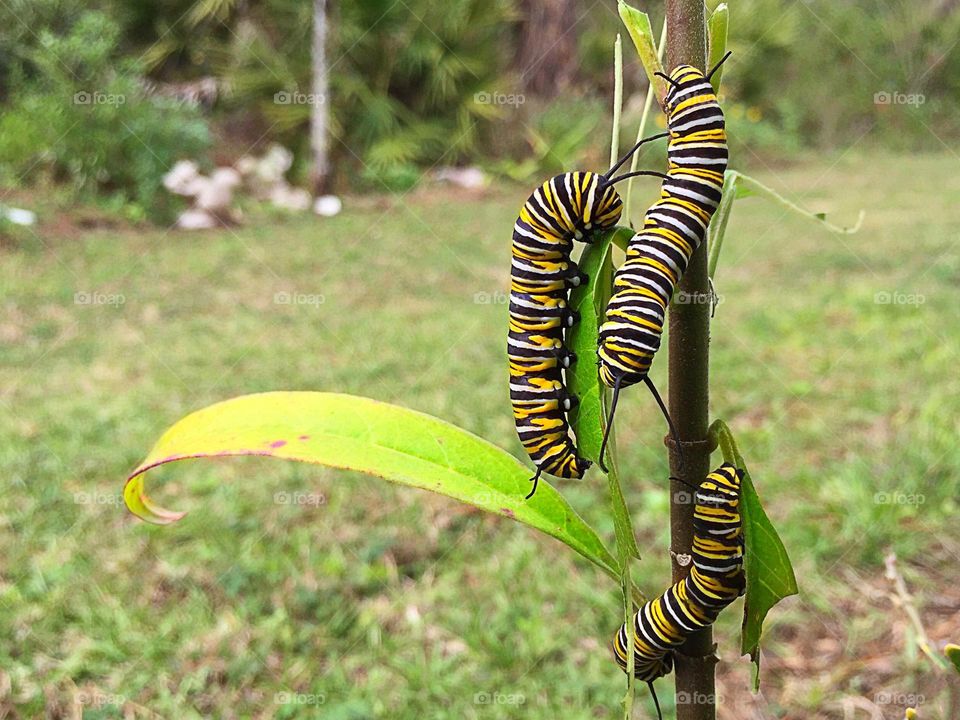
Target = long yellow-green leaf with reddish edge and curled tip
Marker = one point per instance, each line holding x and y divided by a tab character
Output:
387	441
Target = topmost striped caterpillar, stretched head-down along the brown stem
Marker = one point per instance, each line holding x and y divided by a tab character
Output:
673	229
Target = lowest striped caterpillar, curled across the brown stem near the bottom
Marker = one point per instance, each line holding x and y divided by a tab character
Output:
715	581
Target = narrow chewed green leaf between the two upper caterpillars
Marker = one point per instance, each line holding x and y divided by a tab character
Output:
583	380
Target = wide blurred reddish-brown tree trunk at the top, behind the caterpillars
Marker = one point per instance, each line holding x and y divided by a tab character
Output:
547	56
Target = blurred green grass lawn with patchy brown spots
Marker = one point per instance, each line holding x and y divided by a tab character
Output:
386	602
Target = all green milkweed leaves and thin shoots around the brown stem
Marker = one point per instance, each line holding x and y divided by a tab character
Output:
410	448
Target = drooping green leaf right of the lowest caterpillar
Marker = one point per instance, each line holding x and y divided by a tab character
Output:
770	576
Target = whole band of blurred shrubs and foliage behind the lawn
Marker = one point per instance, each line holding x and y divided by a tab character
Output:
428	82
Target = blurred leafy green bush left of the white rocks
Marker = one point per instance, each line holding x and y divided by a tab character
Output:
84	119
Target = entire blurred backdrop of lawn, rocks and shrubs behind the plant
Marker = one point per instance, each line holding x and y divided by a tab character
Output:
210	198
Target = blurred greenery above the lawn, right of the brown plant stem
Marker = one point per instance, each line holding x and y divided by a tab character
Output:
826	74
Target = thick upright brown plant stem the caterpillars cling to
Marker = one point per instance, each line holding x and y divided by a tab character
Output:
689	395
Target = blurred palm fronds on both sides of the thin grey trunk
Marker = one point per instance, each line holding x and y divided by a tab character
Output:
414	84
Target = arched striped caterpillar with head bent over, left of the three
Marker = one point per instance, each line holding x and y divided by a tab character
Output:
568	207
